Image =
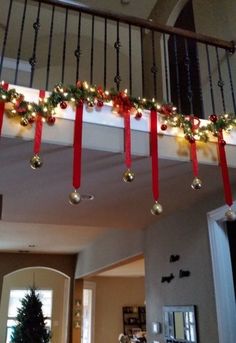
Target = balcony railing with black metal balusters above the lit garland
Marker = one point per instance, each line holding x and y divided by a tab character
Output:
49	41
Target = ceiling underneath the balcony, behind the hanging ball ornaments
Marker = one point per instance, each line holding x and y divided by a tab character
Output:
35	202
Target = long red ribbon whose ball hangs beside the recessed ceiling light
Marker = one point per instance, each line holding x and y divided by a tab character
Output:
77	145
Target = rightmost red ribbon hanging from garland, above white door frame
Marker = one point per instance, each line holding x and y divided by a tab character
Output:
224	170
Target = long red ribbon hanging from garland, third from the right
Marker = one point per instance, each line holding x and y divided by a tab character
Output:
154	155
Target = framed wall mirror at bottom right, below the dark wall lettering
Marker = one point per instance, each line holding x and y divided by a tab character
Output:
180	324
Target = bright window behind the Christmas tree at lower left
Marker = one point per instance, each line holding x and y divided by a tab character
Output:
15	303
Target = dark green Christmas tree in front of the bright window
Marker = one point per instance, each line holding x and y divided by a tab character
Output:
31	326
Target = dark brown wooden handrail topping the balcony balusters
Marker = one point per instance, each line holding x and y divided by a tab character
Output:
227	45
